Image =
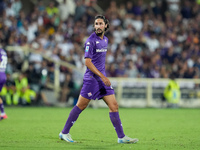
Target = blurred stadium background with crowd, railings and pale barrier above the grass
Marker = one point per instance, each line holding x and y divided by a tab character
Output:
148	42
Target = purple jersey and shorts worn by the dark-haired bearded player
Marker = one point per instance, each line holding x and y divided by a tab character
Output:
93	86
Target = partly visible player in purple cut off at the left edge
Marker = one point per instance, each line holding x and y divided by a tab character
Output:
3	63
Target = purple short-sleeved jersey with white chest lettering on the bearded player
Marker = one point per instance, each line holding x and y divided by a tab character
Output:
96	48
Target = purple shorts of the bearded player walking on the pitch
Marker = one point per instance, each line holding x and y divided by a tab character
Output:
93	89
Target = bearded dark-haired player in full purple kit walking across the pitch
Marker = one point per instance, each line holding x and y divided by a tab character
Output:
95	83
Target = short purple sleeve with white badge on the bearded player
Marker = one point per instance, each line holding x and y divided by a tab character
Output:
89	49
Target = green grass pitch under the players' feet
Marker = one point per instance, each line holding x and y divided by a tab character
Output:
30	128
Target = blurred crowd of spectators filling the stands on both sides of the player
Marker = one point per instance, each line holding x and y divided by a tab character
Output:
146	40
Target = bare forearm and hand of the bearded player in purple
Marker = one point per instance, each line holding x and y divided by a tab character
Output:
90	65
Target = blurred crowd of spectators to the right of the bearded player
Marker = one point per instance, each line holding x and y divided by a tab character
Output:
154	40
